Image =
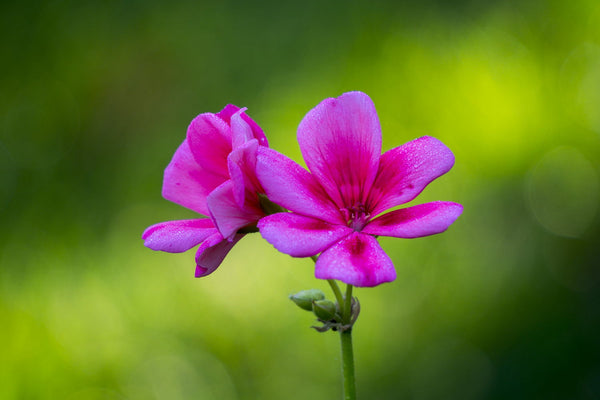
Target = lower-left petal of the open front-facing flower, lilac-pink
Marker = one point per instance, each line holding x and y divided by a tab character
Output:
300	236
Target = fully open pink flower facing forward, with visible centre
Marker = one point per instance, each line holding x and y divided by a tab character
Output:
335	208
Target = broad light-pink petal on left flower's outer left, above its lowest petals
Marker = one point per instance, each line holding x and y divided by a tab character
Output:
186	184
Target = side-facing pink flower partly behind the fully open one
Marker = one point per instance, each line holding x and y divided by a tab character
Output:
212	173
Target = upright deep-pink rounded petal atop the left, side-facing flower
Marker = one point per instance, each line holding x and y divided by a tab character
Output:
209	138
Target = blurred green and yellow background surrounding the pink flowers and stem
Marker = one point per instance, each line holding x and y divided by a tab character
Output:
96	97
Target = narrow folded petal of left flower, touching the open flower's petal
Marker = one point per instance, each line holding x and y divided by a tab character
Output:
242	169
